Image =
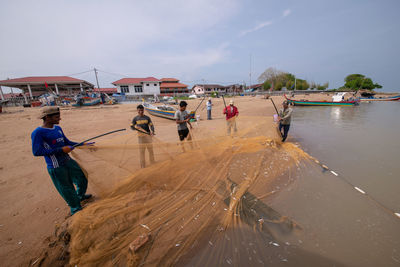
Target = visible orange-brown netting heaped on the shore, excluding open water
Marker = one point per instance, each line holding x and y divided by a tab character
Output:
202	207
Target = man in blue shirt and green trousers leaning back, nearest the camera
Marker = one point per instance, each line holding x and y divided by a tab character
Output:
50	142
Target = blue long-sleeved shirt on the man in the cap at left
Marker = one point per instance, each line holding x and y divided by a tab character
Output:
48	142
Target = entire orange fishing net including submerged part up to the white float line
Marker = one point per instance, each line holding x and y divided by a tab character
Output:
219	200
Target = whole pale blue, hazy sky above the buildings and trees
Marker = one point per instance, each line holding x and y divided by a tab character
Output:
205	41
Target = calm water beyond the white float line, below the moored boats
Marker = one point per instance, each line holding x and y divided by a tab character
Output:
361	143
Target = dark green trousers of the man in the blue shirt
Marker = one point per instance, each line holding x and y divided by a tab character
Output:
65	179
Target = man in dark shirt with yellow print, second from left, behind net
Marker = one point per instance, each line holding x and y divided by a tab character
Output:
145	128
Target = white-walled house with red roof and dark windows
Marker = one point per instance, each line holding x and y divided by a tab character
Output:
138	86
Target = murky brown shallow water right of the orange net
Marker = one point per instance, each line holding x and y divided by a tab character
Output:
338	222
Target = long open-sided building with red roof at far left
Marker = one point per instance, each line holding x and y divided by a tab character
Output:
38	85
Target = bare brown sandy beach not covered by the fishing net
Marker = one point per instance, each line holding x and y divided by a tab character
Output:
32	208
